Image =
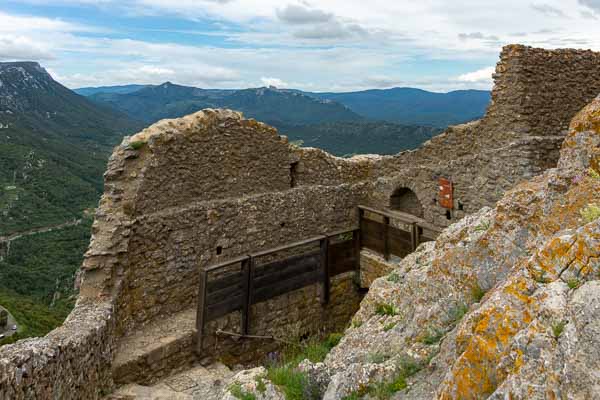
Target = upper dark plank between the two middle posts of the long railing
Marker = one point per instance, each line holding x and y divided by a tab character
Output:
285	269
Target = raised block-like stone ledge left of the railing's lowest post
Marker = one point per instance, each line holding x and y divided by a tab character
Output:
156	351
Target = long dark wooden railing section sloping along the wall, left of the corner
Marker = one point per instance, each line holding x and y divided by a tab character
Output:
236	284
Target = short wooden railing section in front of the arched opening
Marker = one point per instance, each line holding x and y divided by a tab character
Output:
400	238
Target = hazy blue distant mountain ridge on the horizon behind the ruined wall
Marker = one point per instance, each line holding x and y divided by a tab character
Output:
406	106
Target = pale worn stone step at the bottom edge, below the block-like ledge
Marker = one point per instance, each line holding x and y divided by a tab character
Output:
197	383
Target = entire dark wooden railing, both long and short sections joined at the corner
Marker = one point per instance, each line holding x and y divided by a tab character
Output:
237	284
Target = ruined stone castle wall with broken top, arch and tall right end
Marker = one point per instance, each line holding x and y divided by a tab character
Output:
182	191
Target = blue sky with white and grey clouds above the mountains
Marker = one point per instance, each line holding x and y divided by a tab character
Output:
326	45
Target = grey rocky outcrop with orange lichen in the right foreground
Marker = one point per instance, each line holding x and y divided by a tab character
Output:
505	304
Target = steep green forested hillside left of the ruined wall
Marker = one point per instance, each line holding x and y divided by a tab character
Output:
54	145
